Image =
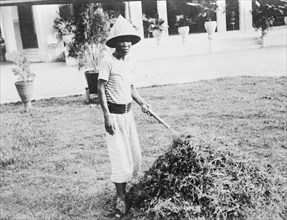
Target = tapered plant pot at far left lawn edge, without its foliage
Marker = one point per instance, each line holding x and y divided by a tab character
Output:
25	91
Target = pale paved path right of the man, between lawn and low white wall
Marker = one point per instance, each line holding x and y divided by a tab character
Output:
269	61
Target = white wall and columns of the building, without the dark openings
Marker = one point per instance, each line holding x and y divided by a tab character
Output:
44	15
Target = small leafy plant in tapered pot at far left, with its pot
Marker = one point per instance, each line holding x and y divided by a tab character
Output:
25	80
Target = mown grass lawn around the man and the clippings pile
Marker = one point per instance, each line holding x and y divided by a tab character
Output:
55	165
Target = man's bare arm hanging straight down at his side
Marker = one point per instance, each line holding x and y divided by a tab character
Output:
109	124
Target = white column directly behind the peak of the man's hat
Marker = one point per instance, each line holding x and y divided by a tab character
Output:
133	12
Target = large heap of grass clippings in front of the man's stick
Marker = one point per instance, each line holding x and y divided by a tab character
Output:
195	180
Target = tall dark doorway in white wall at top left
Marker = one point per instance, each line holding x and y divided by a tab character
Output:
27	27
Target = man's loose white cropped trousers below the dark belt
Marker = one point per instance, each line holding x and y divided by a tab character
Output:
124	149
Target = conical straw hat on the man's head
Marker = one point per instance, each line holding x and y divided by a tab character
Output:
122	28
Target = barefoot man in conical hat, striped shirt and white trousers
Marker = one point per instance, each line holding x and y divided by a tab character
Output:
116	91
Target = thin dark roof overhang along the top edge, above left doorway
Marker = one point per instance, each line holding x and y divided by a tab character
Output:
58	2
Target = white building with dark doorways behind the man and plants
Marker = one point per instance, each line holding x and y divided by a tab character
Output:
27	25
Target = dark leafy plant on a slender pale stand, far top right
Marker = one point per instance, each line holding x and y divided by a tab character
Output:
264	18
